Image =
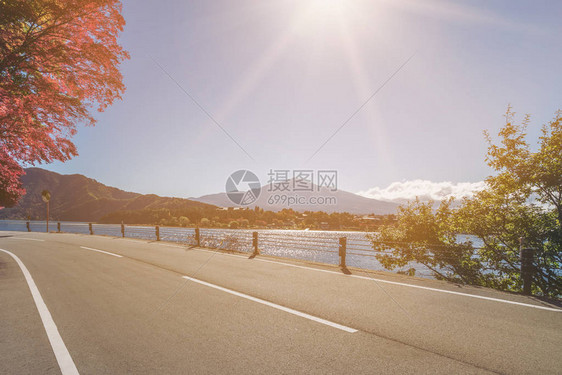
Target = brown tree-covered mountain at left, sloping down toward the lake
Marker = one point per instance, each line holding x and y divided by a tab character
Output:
79	198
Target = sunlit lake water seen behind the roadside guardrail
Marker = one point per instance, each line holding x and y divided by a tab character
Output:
316	246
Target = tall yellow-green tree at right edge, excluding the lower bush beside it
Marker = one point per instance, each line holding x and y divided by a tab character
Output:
523	201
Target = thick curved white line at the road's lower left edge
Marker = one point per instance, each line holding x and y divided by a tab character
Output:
62	355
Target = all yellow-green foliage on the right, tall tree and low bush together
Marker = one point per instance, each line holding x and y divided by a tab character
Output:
521	202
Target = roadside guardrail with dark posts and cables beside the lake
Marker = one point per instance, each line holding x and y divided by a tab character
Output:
338	248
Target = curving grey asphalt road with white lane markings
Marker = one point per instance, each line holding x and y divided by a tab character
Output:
137	313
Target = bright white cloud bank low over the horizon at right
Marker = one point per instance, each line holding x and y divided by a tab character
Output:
426	190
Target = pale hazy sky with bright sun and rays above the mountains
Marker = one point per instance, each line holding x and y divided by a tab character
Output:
271	81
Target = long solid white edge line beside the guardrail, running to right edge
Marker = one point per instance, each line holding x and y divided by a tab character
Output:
398	283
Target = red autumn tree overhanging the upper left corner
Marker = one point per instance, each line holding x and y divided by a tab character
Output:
59	59
